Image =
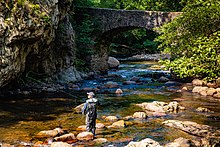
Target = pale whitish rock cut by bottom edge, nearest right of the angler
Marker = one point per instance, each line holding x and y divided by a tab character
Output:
144	143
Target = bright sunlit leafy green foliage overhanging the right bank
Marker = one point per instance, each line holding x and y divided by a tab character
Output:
193	39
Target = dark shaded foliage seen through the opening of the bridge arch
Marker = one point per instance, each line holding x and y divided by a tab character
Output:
133	42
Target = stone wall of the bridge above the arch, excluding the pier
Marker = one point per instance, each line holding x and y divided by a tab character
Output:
115	18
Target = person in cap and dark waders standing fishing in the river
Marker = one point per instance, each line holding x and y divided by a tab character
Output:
90	110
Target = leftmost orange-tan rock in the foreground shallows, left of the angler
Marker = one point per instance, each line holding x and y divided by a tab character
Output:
50	133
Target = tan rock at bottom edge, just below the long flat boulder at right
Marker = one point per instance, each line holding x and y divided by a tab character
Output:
181	142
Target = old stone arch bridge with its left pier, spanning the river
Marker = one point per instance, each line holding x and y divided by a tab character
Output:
112	22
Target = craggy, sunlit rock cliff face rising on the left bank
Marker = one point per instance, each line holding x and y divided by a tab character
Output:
35	36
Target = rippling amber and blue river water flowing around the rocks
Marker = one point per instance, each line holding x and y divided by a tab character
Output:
21	118
